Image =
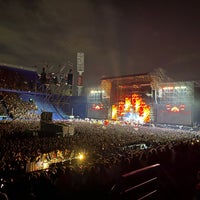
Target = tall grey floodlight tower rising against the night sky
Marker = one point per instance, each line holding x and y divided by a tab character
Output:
80	70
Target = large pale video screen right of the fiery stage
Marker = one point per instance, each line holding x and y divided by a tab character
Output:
175	103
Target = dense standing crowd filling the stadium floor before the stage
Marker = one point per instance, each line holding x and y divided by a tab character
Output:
109	151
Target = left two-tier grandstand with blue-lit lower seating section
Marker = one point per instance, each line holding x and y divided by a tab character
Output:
21	88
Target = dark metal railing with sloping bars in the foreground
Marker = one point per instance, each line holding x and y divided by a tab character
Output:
141	184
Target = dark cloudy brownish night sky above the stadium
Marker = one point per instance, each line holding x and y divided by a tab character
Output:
118	37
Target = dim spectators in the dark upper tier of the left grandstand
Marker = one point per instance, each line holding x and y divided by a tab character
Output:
27	80
